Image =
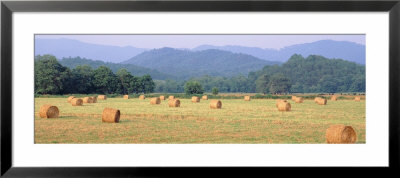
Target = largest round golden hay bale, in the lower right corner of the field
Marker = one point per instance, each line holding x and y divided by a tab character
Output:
340	134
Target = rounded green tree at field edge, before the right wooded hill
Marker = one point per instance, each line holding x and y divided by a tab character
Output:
279	84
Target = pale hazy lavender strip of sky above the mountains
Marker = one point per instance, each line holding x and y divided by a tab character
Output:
192	41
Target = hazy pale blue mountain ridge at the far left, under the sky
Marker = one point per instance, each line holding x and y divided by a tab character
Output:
67	47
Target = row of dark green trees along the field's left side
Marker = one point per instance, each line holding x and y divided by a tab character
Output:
53	78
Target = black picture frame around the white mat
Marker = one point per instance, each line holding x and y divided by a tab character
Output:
8	7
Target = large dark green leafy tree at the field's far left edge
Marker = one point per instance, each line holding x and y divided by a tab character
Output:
50	76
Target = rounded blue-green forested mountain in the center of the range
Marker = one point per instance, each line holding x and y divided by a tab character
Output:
186	64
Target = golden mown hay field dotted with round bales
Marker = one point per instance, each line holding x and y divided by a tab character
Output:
239	121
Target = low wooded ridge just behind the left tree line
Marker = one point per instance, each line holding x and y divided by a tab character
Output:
133	69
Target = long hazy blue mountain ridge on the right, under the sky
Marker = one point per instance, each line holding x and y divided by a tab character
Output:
328	48
